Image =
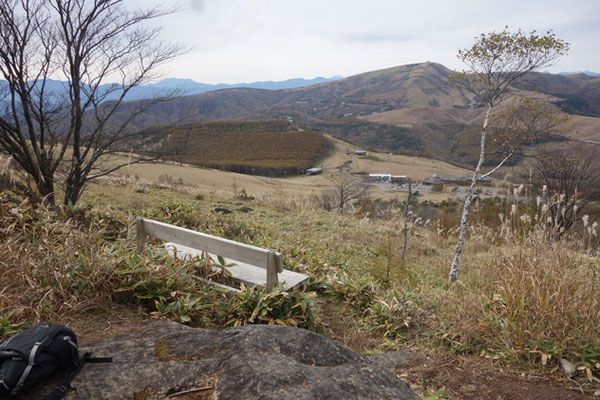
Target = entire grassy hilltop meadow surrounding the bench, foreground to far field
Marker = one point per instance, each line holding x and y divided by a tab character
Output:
524	299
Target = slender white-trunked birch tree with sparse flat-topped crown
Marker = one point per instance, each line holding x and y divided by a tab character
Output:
495	62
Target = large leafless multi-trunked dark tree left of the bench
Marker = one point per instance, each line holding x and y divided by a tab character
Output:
84	44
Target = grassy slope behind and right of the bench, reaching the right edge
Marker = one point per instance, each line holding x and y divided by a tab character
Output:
510	306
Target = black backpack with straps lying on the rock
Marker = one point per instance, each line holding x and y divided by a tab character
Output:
29	357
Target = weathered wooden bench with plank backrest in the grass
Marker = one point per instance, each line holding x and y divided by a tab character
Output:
251	261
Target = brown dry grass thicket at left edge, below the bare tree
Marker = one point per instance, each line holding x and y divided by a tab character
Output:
53	265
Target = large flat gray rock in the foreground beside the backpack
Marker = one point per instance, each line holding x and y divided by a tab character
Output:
251	362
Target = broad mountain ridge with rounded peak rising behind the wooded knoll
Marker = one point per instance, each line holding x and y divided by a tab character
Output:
406	109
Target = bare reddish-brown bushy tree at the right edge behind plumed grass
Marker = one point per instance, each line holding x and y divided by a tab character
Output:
570	174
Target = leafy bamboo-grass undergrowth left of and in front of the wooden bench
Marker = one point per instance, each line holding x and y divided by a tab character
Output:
56	265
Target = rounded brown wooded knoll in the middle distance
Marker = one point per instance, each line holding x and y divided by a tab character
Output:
260	147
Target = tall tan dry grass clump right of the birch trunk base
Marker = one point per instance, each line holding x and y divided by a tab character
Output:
530	297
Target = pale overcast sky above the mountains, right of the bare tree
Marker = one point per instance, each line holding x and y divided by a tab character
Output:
236	41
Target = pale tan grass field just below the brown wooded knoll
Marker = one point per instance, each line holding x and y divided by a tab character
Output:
297	189
